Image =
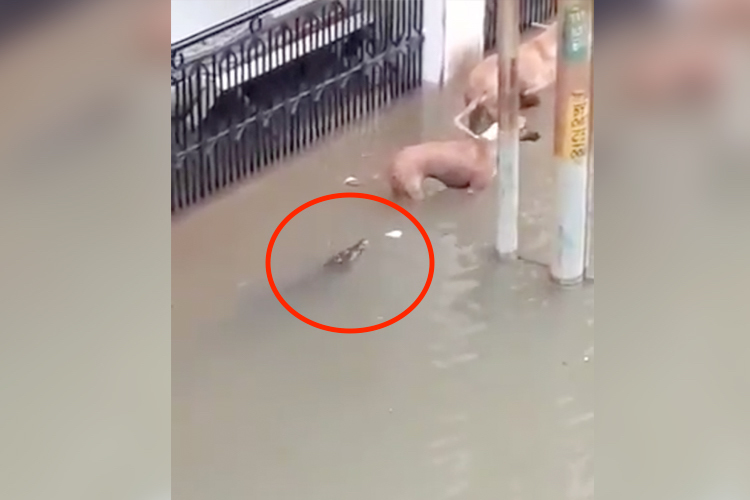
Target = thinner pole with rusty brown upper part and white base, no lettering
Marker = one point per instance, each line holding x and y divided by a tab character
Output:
508	35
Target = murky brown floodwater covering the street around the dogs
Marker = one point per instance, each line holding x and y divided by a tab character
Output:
485	391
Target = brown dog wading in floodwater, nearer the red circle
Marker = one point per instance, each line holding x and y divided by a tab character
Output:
462	164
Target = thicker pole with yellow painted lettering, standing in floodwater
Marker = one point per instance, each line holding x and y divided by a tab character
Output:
572	140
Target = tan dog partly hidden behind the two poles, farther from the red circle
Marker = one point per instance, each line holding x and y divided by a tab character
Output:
537	69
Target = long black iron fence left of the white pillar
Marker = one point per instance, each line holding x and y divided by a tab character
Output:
270	82
